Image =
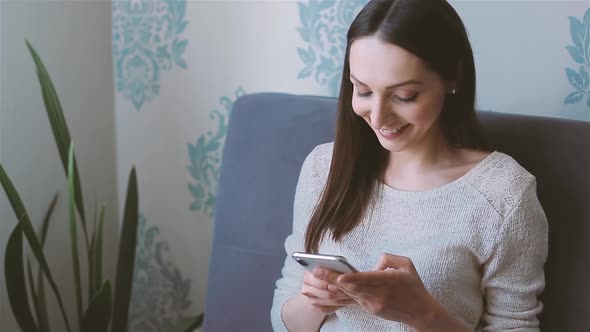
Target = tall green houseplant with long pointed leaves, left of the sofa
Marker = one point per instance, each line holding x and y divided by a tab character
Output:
107	304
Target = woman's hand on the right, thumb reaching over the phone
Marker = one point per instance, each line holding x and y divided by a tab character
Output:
394	291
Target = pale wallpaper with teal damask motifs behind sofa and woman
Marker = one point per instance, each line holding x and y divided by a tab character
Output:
180	65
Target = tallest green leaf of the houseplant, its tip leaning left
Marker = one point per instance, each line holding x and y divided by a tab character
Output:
59	128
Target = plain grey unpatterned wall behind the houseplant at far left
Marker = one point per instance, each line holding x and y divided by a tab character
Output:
73	38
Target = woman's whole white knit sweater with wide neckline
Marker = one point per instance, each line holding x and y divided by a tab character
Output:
478	243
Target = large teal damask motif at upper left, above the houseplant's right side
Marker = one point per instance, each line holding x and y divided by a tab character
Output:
145	43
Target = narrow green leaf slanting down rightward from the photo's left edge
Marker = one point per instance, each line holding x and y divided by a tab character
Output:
27	228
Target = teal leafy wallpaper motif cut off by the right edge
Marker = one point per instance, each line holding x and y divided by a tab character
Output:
580	52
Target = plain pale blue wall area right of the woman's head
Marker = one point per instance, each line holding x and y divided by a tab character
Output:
520	54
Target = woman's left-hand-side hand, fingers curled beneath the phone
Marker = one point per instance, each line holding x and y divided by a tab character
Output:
320	296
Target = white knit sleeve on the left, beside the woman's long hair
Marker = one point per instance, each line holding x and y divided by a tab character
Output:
307	192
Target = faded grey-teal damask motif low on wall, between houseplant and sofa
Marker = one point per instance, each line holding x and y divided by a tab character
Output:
160	292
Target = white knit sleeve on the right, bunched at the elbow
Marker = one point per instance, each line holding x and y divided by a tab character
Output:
513	277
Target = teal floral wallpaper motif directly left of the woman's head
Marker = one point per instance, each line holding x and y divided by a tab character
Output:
324	24
